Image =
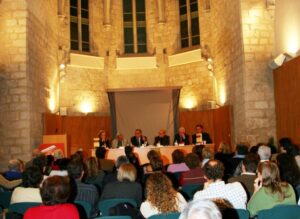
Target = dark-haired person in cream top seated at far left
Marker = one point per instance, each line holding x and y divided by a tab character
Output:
29	191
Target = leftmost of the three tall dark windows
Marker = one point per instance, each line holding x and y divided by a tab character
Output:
79	25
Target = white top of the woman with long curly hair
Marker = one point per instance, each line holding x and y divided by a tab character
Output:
148	210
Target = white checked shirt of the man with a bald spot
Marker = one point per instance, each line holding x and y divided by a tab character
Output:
232	192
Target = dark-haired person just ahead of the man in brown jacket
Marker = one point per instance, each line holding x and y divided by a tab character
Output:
236	161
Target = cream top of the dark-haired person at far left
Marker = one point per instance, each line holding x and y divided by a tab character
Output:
21	194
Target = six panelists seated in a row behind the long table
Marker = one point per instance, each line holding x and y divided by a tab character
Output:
162	139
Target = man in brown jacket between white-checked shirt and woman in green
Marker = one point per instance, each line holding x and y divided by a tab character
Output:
249	166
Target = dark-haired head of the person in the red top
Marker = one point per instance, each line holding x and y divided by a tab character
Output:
55	190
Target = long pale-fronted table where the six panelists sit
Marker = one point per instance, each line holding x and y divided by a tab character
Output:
141	152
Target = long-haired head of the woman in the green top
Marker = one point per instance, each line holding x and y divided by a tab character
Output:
268	174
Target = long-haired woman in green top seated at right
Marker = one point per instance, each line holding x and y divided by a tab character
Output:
269	191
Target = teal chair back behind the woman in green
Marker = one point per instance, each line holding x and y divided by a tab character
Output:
281	211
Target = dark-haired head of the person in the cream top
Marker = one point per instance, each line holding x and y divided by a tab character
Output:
32	177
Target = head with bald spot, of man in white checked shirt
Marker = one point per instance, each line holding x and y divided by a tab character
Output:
214	170
